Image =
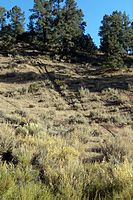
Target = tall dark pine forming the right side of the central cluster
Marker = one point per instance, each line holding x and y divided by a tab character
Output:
69	25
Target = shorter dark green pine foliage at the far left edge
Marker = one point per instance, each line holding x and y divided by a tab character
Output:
11	26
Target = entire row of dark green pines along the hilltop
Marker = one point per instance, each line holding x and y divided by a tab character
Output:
58	26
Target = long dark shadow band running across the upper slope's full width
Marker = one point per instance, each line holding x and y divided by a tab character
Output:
73	83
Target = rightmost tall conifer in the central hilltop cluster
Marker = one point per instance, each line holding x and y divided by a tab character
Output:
72	26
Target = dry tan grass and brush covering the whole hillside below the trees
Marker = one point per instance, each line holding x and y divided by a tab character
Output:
65	132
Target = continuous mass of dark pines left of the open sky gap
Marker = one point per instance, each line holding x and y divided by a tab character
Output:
55	26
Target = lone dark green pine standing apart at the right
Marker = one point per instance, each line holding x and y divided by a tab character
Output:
115	37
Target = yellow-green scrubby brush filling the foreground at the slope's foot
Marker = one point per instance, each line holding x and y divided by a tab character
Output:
40	166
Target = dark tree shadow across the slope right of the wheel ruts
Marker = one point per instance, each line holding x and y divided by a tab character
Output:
97	84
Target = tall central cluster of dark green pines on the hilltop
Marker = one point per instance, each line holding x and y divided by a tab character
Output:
56	24
